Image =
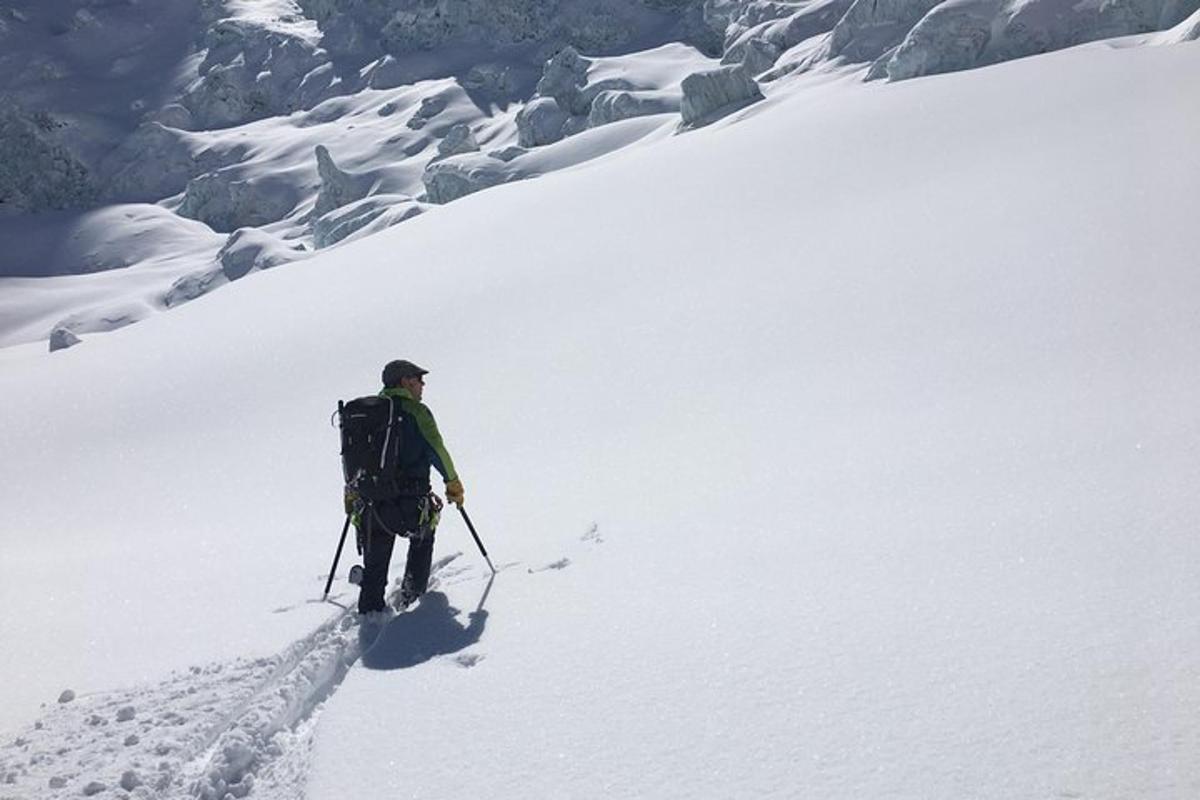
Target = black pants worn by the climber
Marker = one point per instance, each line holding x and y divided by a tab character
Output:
379	536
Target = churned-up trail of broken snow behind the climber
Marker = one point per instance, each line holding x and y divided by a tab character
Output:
215	732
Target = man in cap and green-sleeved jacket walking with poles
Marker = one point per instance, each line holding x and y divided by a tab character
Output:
415	513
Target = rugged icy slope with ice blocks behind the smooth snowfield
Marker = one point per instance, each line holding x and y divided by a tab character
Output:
289	127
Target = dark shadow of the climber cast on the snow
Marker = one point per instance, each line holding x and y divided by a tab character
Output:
430	630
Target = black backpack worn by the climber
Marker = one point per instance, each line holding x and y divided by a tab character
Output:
373	437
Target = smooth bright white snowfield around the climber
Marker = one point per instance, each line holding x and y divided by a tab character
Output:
845	450
